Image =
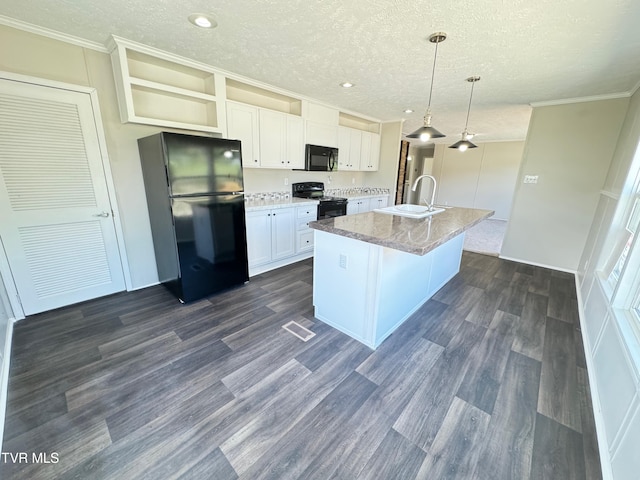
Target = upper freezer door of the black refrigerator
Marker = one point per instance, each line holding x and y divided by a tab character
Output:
202	165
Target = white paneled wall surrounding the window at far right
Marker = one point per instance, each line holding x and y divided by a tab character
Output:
609	344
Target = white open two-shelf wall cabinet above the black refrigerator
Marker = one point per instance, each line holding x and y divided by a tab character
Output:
158	88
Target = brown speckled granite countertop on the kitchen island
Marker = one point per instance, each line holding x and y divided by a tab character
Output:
417	236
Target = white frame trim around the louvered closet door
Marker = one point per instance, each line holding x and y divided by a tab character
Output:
5	270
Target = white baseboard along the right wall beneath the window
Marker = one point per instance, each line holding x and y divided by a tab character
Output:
603	444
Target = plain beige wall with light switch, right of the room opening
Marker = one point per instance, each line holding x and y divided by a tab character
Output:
570	148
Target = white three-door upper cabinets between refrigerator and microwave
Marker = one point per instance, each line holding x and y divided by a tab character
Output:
270	139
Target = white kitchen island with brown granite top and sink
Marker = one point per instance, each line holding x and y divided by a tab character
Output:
371	271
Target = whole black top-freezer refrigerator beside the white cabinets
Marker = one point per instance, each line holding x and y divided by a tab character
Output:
195	198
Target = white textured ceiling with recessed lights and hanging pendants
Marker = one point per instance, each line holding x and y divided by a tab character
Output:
525	51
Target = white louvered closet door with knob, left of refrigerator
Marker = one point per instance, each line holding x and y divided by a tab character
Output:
57	227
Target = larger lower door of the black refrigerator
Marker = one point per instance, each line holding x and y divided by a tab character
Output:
211	240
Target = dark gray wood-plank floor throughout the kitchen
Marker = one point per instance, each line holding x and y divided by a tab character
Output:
486	381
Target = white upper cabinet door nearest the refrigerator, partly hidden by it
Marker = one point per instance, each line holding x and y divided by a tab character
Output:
242	124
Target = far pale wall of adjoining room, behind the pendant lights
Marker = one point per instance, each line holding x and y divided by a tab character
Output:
482	177
